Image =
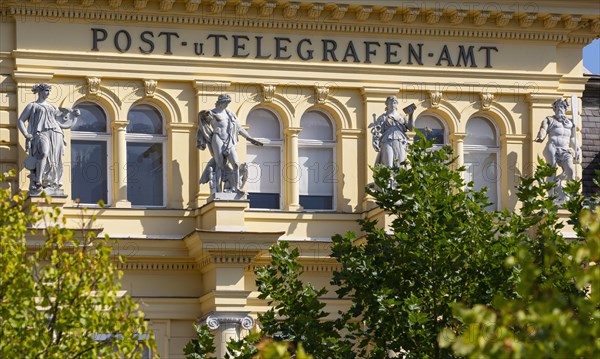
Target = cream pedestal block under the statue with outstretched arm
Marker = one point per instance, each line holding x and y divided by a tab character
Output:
224	212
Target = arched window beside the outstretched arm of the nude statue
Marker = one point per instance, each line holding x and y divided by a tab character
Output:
264	163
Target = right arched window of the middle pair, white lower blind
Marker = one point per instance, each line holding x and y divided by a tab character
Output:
316	154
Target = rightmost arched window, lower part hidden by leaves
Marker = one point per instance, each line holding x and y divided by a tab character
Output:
481	150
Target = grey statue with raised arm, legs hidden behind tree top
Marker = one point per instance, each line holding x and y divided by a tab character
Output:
389	133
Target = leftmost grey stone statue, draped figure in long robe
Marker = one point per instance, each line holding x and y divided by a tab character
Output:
45	142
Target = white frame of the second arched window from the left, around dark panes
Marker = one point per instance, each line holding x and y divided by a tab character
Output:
148	138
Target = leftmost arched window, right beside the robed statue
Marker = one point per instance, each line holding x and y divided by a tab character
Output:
90	151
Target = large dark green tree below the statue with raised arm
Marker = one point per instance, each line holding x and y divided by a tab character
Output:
441	248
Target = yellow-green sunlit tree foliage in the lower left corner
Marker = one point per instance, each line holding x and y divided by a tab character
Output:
62	298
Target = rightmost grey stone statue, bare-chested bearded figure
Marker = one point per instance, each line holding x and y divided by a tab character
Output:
561	148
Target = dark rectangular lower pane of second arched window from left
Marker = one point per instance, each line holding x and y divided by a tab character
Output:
145	174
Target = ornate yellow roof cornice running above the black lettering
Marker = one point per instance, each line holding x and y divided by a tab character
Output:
549	22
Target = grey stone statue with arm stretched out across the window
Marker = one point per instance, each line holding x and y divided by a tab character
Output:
218	129
